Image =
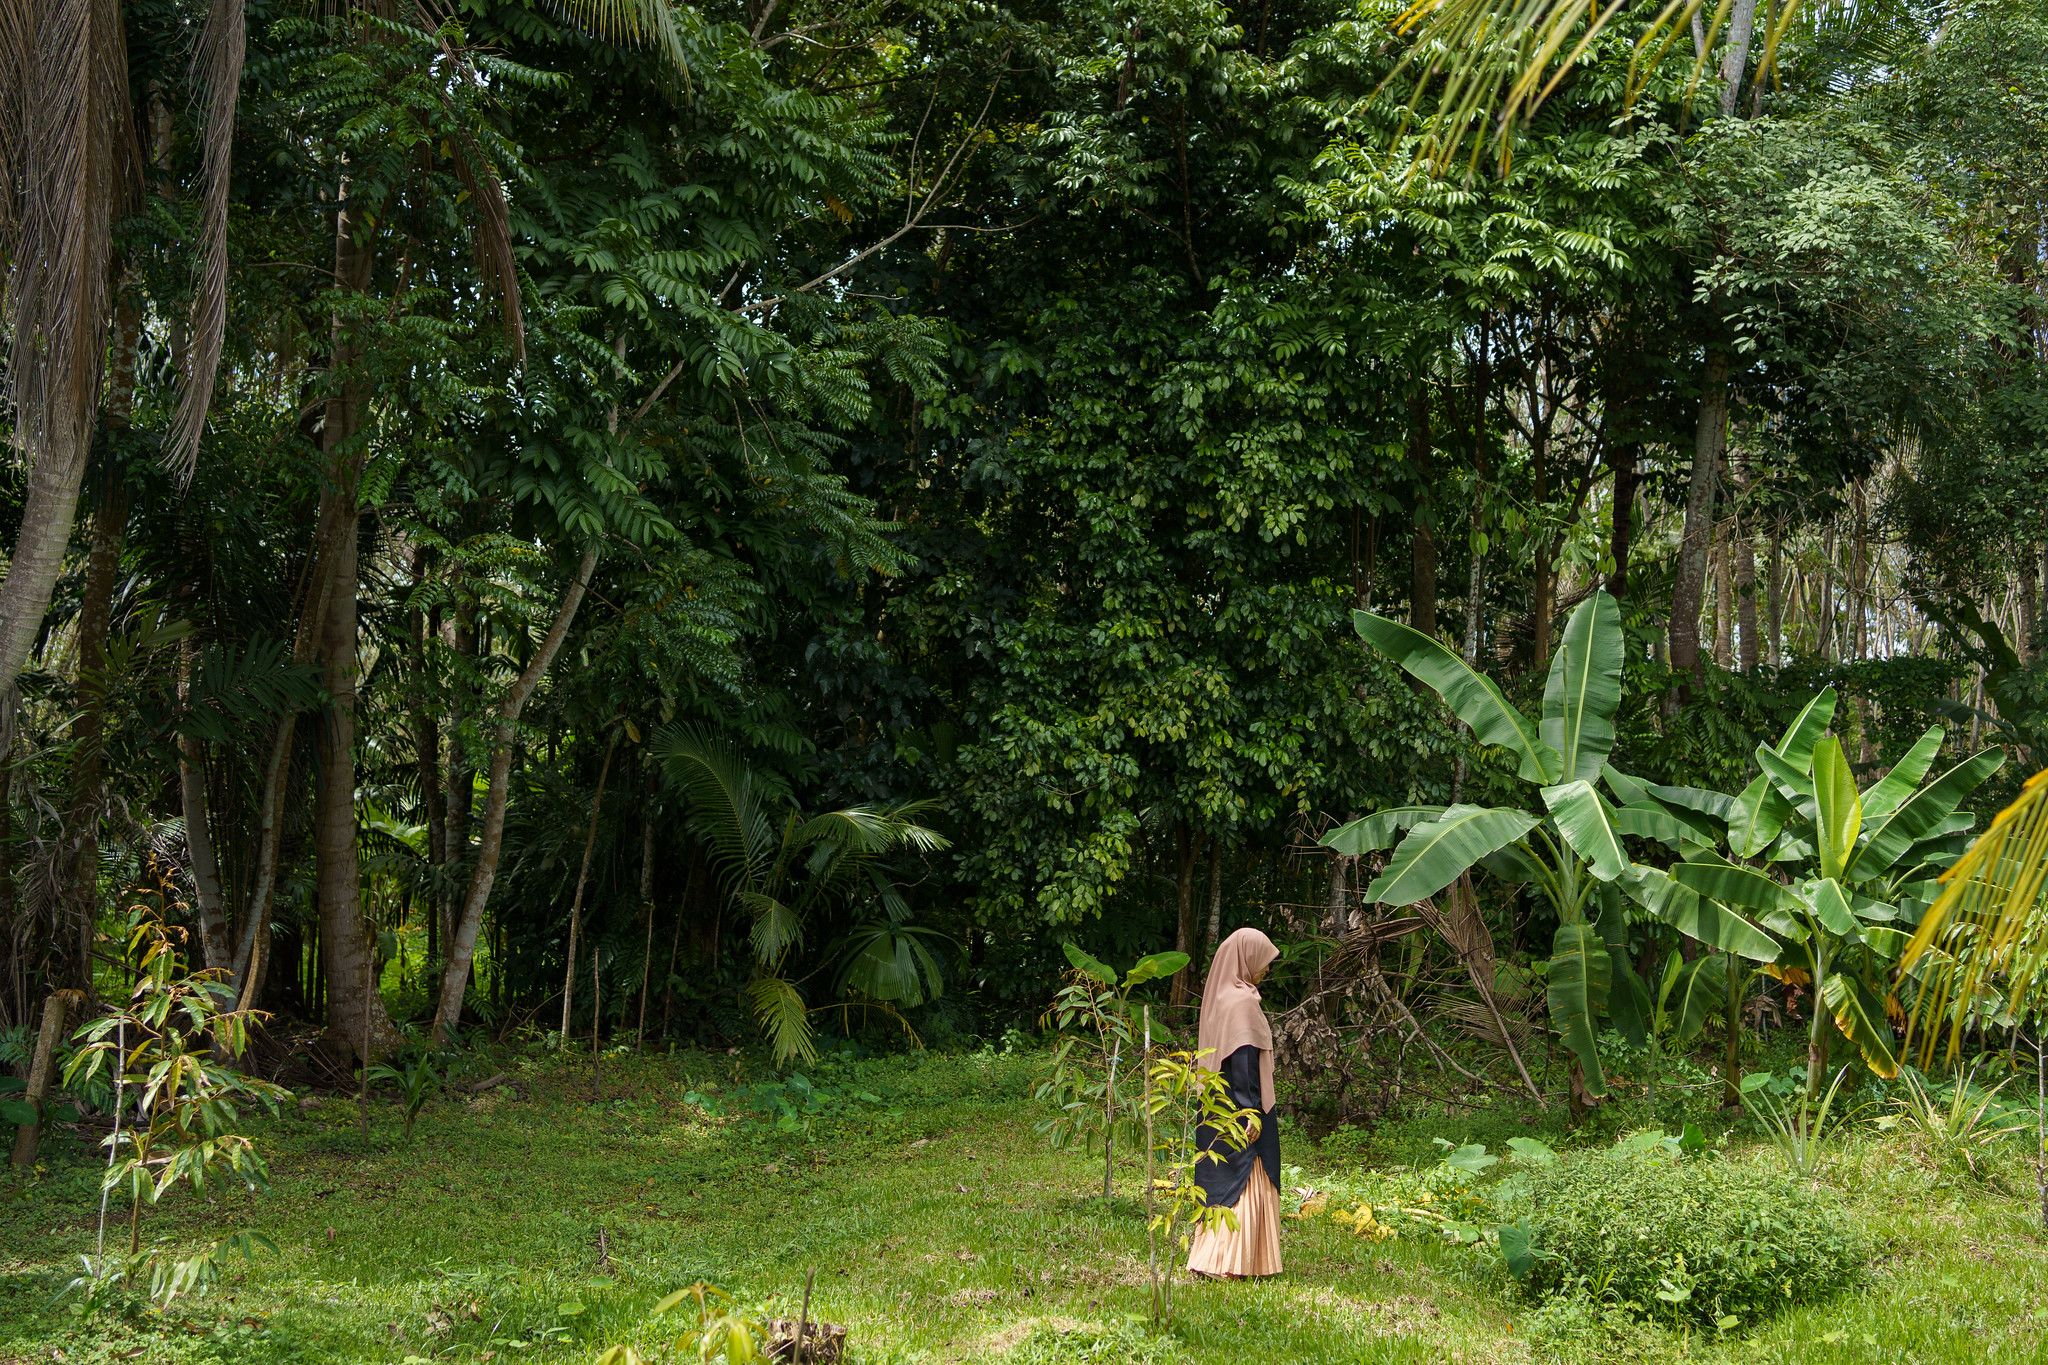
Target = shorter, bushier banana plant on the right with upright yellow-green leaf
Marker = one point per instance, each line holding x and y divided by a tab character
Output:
1834	877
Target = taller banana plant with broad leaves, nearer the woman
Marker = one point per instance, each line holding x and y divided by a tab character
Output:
1568	842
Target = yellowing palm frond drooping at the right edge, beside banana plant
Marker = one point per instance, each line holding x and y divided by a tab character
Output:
1988	930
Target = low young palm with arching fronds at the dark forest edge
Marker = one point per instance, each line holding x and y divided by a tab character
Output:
785	869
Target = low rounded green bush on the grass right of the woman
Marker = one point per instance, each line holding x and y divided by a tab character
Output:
1687	1239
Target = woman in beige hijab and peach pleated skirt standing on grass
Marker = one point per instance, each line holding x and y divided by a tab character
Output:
1238	1043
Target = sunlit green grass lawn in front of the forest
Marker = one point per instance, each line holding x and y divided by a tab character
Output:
542	1227
